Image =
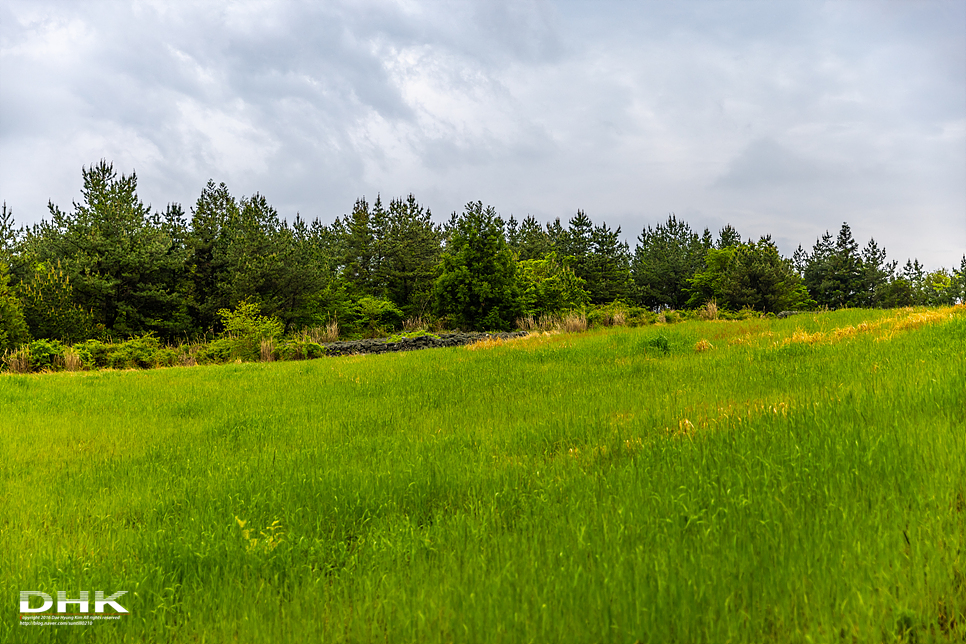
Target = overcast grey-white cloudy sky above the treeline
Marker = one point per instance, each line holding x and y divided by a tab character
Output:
779	117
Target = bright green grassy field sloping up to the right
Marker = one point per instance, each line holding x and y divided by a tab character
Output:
797	480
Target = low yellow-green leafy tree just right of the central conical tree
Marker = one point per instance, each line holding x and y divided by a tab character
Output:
549	286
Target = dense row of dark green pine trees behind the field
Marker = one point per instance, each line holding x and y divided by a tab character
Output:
112	268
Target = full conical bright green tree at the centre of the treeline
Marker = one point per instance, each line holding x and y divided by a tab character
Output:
477	287
